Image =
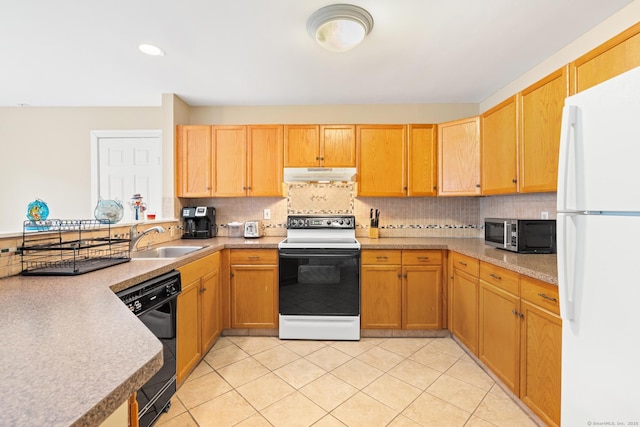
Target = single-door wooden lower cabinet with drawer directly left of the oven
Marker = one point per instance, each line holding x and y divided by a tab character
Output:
254	288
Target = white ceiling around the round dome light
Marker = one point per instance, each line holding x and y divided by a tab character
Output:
257	52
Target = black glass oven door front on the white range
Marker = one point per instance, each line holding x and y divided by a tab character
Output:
321	285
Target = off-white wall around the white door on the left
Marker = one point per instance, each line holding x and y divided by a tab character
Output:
45	153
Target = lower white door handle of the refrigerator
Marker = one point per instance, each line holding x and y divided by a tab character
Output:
567	251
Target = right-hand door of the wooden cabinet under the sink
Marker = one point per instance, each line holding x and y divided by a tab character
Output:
210	309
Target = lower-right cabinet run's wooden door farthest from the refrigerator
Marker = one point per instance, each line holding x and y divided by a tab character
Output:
464	307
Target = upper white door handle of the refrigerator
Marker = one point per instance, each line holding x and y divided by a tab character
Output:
567	173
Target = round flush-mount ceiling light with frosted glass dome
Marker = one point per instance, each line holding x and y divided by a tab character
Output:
339	27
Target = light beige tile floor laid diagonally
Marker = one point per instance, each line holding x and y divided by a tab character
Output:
264	381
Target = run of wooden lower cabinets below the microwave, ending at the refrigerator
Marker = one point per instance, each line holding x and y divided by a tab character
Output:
518	328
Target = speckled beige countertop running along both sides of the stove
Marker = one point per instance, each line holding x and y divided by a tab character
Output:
72	352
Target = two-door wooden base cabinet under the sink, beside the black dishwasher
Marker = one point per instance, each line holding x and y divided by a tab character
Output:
199	312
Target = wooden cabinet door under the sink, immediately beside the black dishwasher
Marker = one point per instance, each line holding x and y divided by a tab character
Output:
188	329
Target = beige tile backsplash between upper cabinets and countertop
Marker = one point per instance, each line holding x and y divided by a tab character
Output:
400	217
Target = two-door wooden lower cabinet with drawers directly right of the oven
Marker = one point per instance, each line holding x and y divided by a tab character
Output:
401	289
